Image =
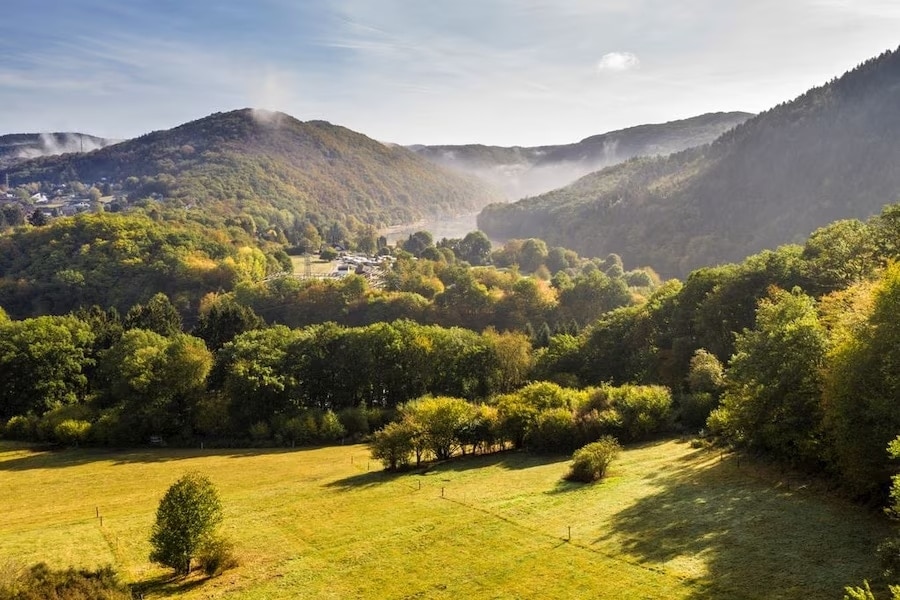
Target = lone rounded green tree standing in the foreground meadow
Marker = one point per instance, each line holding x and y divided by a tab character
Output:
186	520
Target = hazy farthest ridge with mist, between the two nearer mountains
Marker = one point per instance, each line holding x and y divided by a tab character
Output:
527	171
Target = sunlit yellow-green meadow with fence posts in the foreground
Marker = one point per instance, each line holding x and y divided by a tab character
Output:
669	522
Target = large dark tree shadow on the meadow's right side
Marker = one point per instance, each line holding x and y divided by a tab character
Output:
757	537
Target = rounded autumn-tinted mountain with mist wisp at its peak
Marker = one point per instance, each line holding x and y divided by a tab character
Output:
273	167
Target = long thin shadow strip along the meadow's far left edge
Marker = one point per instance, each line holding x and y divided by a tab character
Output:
44	457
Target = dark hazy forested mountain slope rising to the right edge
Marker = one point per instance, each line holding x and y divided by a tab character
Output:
832	153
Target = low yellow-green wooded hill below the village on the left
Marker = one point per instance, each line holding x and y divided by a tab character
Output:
116	260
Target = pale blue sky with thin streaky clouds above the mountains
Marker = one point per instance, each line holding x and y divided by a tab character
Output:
502	72
